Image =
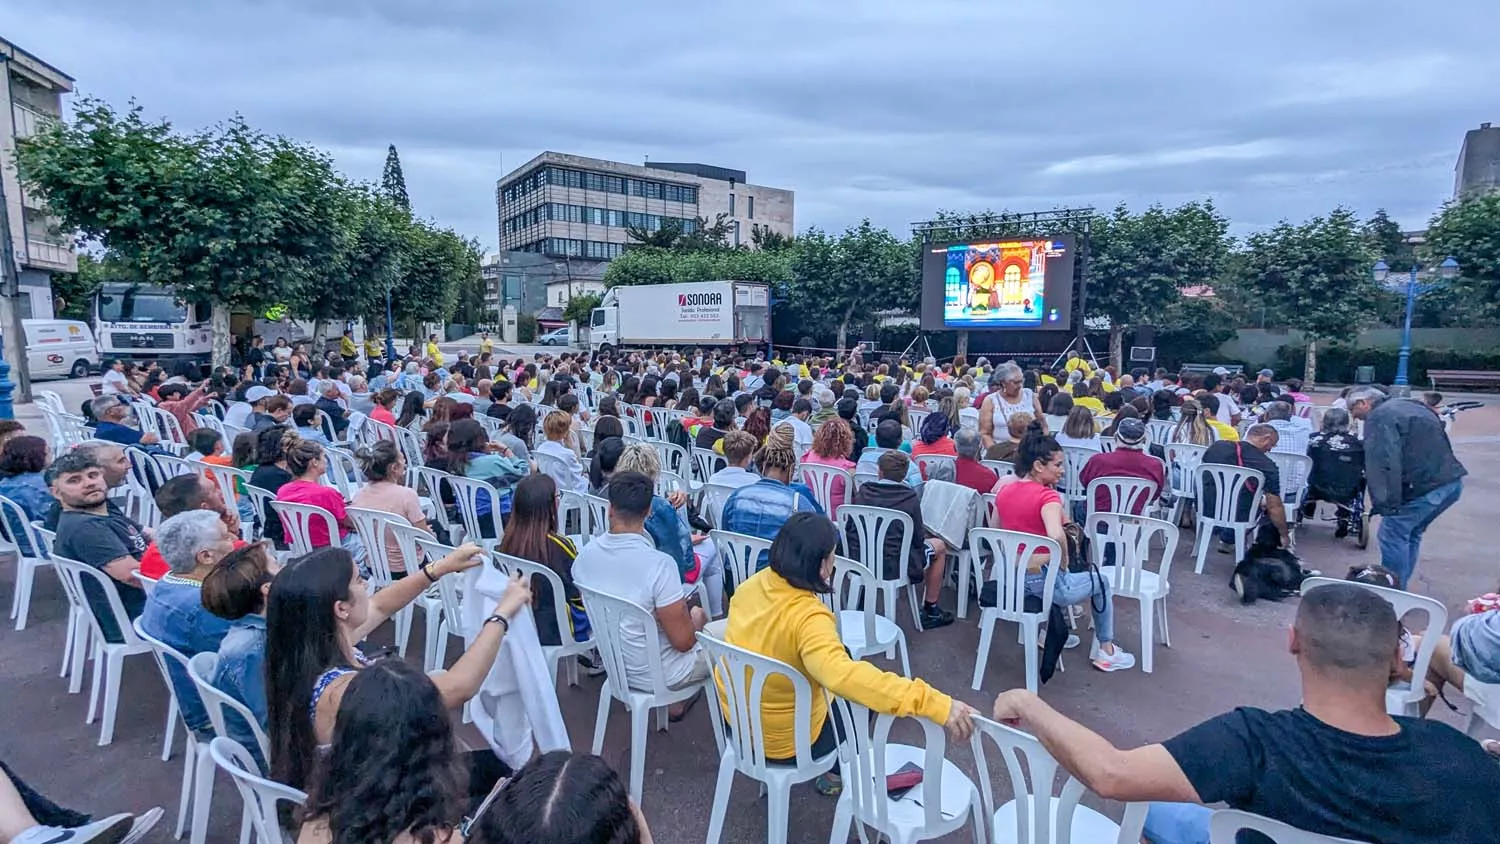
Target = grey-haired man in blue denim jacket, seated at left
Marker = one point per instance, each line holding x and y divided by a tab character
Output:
193	543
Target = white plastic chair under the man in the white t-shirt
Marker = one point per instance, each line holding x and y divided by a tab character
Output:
610	615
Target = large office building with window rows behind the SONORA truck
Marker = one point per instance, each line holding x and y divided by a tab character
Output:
577	208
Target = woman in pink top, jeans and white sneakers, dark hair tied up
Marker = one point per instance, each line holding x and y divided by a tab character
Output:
1030	504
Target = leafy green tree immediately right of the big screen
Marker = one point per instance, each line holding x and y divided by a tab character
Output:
1141	263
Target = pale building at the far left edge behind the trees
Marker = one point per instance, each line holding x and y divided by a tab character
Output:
31	94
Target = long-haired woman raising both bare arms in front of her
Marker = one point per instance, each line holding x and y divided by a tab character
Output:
317	611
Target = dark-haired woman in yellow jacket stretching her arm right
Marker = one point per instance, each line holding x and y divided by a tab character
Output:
779	614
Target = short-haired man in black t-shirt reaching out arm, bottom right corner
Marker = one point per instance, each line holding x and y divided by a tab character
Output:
1339	765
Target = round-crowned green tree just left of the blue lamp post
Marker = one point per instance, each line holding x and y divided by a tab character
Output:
1318	274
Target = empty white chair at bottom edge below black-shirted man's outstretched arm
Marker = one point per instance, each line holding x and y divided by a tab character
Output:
1039	815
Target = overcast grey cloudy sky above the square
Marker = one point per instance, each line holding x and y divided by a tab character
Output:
886	109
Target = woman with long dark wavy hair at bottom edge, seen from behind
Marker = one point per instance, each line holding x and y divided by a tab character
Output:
392	773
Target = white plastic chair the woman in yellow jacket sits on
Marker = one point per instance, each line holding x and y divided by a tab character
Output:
743	677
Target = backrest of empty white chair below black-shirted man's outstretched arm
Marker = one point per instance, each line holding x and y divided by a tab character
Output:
1033	773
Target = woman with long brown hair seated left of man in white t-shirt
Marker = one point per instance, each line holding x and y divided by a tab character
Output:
533	534
